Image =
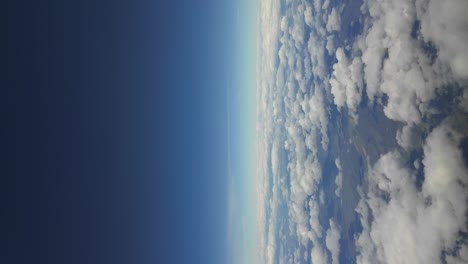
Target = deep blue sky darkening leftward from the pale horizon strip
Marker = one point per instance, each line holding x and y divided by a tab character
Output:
114	134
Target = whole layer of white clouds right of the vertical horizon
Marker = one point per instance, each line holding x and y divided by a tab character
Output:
404	57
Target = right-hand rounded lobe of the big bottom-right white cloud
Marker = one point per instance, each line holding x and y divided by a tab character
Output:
446	180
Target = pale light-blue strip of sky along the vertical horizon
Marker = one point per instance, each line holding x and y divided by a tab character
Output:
241	126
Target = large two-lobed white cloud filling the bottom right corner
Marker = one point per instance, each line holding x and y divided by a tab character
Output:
412	225
